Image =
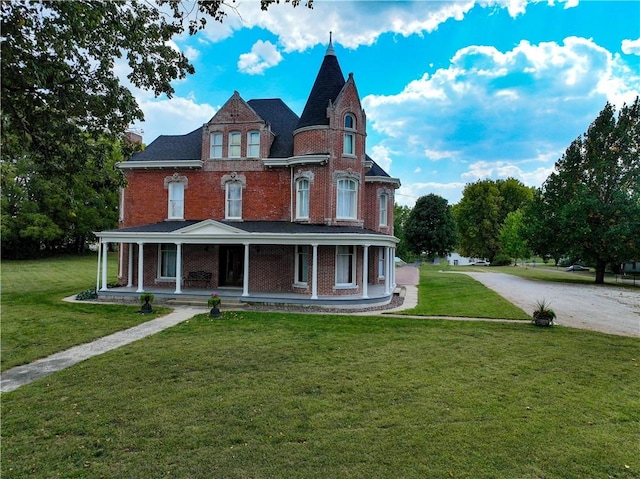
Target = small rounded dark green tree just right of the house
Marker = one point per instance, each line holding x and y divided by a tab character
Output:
430	228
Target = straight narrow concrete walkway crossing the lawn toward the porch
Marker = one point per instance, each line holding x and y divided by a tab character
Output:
14	378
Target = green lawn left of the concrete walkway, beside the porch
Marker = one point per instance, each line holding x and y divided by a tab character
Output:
36	323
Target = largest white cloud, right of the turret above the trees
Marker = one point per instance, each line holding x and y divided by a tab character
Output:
498	110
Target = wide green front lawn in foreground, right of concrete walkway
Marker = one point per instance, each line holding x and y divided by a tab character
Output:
281	395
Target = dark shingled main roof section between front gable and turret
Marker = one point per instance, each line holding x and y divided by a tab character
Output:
283	121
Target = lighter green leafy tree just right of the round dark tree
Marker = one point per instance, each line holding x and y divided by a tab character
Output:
480	213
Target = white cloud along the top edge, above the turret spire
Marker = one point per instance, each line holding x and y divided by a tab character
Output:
354	23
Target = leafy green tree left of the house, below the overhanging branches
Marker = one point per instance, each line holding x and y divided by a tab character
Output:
43	214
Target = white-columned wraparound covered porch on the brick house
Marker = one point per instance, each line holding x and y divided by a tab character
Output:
263	272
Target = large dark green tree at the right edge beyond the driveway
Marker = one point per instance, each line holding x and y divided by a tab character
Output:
596	191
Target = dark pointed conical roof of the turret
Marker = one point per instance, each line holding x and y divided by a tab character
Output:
327	86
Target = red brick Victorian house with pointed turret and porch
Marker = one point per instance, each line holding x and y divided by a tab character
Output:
261	204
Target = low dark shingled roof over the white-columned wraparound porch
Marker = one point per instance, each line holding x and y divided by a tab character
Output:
281	227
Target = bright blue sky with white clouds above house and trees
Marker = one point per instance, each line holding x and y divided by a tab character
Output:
454	91
